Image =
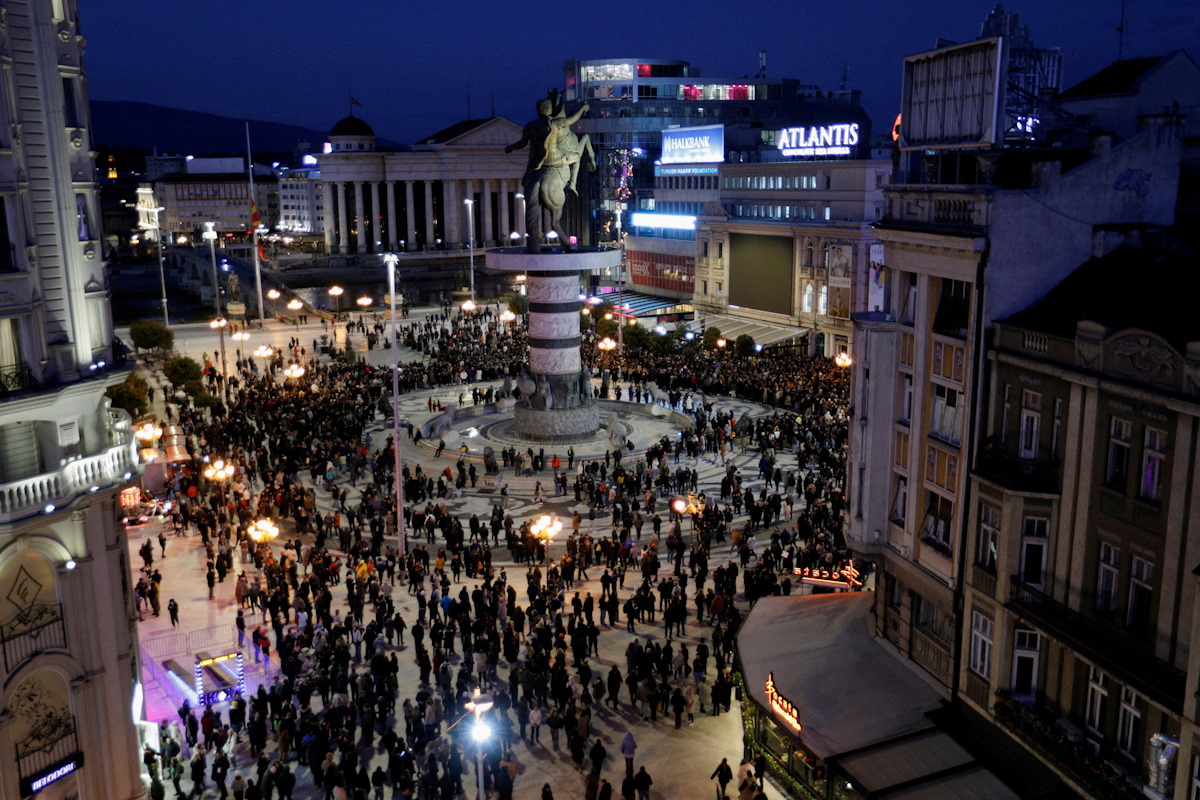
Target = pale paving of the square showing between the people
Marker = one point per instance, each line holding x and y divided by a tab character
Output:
680	761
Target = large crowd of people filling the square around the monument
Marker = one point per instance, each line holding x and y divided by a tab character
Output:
335	591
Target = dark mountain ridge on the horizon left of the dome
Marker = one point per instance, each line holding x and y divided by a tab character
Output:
129	125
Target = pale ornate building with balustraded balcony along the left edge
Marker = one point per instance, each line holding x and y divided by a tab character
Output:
69	670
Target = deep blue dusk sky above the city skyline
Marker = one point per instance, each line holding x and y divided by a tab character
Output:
412	65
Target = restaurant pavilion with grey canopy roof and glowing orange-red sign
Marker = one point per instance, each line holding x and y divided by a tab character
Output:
843	717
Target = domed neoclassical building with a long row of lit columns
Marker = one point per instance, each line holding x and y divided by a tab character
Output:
387	201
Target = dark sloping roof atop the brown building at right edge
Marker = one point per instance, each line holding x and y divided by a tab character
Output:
1114	291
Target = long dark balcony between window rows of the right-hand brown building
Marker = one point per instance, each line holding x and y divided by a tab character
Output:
1102	643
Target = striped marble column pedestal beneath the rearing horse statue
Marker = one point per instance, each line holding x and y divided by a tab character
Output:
562	407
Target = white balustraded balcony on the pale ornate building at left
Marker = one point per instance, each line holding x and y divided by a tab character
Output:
31	496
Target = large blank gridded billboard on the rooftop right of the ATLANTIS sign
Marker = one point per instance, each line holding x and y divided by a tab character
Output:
952	98
